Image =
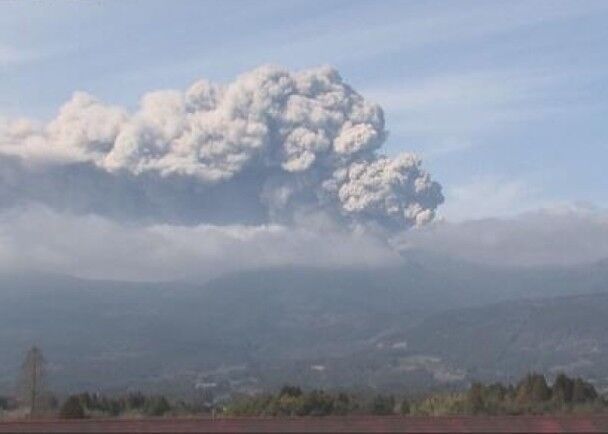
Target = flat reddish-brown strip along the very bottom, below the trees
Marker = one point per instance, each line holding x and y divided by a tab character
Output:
411	425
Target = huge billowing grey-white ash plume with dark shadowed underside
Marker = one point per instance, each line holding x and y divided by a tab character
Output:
263	148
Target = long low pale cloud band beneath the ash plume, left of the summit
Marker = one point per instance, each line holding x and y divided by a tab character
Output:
38	238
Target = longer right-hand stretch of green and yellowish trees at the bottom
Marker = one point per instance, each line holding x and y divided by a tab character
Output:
531	395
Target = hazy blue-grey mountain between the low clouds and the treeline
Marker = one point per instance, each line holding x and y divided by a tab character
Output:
432	322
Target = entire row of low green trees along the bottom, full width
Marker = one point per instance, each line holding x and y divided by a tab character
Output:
531	395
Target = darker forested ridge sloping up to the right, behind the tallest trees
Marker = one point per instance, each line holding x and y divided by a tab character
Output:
503	340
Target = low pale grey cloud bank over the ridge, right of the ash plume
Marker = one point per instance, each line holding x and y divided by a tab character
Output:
560	235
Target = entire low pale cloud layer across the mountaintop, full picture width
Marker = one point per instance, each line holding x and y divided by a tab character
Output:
38	238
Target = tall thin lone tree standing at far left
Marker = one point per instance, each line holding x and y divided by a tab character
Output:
32	380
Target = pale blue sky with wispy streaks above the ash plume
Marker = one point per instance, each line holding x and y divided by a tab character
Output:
505	101
